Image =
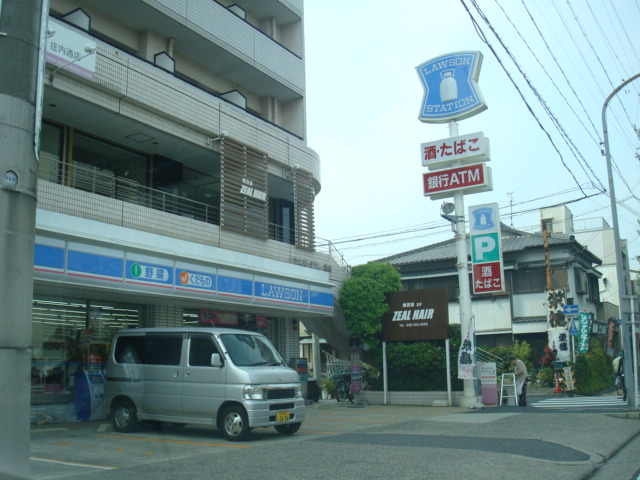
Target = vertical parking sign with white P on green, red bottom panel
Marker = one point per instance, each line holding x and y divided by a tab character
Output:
486	248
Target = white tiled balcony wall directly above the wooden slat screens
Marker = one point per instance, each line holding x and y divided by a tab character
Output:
134	88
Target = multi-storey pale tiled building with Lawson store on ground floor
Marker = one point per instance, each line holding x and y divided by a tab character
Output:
175	183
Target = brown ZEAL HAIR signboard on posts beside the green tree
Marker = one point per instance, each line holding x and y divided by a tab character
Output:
416	315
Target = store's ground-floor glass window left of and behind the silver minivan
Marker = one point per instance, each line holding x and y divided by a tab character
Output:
70	335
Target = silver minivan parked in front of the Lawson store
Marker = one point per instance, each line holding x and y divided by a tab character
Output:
233	379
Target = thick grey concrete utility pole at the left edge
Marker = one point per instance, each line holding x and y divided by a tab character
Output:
20	93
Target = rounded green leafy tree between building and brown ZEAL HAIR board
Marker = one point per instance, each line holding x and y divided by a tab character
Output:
363	299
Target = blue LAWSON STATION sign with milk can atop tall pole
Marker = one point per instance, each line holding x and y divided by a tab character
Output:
451	87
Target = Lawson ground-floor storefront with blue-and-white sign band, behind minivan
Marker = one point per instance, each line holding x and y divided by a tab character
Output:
84	292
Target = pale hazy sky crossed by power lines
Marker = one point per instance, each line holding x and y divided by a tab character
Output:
548	66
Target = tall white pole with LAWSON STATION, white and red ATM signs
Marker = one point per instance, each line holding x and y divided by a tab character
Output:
452	94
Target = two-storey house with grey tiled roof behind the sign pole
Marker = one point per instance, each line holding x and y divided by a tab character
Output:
521	312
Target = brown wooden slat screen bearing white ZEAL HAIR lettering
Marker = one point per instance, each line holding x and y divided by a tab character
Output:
243	191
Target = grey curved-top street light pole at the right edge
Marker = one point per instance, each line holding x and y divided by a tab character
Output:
622	284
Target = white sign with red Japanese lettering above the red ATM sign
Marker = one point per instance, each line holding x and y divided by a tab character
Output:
465	149
